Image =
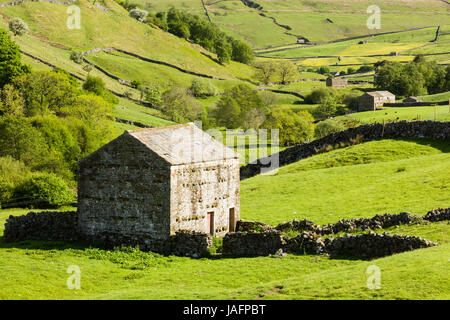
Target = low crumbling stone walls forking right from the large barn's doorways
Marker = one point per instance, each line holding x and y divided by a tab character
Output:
256	238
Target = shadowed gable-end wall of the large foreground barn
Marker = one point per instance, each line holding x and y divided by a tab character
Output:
124	195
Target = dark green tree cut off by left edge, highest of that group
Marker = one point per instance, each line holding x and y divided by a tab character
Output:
10	60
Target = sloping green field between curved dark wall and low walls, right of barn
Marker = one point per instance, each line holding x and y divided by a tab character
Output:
329	194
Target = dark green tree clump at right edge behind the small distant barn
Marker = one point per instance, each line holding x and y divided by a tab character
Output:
420	77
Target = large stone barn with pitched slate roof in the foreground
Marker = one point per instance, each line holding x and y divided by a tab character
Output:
148	184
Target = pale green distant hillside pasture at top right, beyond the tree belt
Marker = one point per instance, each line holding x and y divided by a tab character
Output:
309	18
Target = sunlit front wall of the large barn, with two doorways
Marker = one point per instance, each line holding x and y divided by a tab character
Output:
199	188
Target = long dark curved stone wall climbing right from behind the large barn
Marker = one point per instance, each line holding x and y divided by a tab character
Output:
404	129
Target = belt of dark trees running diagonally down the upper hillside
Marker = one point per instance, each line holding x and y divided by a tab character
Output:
198	30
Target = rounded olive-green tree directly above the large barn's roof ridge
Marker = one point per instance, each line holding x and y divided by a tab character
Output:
180	106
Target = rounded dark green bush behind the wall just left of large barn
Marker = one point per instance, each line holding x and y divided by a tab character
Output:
43	190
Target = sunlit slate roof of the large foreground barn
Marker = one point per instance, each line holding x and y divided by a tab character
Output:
183	144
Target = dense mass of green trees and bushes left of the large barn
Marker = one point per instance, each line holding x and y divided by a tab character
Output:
47	124
